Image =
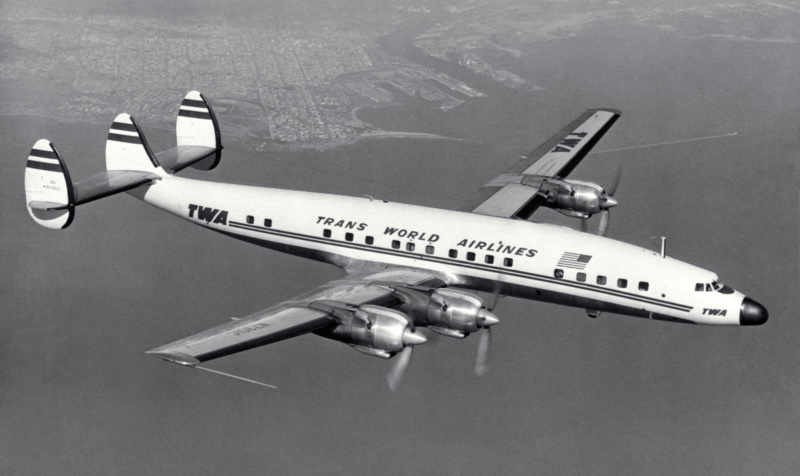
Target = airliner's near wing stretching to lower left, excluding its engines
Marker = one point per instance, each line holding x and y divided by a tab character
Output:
308	312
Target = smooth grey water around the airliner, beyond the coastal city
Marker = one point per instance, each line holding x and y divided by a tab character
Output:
565	394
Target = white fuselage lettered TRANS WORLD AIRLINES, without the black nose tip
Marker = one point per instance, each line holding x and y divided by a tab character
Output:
299	220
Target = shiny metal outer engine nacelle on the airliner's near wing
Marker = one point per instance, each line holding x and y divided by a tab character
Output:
376	330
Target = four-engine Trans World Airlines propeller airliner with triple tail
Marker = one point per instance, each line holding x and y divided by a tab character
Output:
405	266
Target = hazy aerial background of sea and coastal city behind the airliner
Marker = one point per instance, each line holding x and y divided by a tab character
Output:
422	102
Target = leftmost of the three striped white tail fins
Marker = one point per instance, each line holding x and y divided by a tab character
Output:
48	188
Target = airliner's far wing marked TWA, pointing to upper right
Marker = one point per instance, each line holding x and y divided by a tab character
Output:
515	193
